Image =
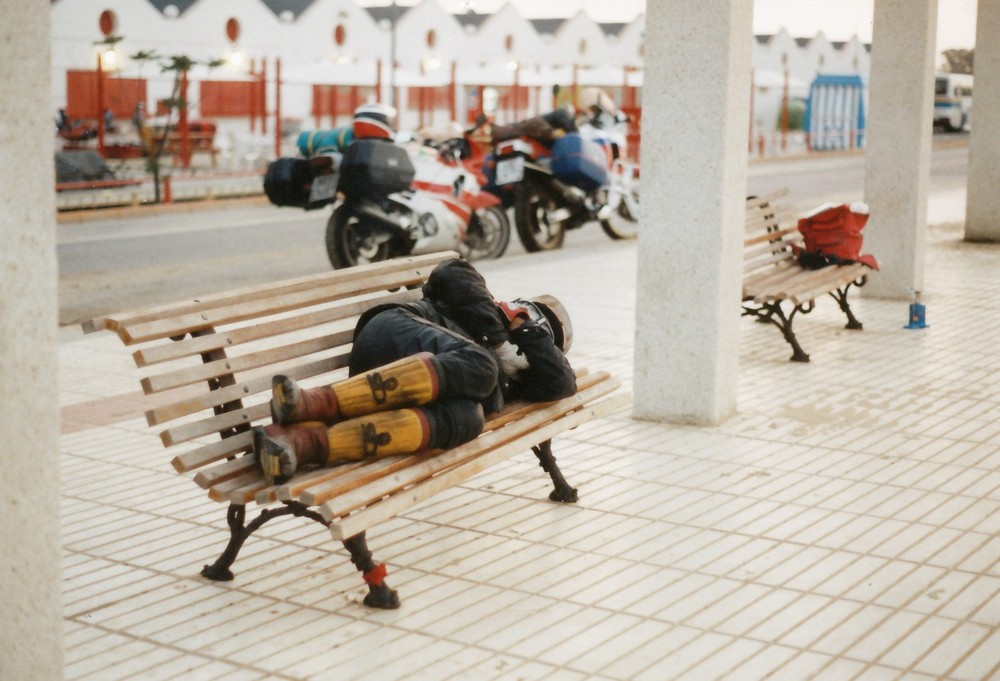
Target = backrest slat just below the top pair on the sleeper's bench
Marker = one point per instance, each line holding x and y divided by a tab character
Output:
224	340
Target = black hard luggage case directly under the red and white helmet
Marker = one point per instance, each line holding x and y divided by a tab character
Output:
375	168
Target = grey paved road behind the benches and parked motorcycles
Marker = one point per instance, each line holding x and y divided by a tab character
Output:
115	263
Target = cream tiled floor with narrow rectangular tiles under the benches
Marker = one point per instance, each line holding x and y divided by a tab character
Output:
843	525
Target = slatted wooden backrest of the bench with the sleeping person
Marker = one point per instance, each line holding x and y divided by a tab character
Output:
208	362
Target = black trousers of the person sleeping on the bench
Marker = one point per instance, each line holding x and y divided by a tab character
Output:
467	373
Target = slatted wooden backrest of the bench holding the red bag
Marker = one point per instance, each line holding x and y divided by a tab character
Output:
771	230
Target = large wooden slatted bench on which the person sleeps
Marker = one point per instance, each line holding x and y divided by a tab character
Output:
208	363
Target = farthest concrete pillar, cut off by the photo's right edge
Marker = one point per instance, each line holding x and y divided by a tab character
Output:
982	210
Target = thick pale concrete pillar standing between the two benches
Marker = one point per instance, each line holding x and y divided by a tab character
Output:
696	102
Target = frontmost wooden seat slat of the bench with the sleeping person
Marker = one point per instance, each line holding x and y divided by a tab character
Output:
344	527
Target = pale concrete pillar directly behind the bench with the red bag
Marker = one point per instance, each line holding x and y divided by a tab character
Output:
897	174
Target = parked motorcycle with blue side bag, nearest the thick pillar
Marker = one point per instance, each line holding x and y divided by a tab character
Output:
580	177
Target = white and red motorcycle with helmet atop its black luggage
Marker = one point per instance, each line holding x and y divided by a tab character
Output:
385	205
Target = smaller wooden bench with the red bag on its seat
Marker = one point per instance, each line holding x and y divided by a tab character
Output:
772	275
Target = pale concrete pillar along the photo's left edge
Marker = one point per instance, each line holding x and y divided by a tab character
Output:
30	585
